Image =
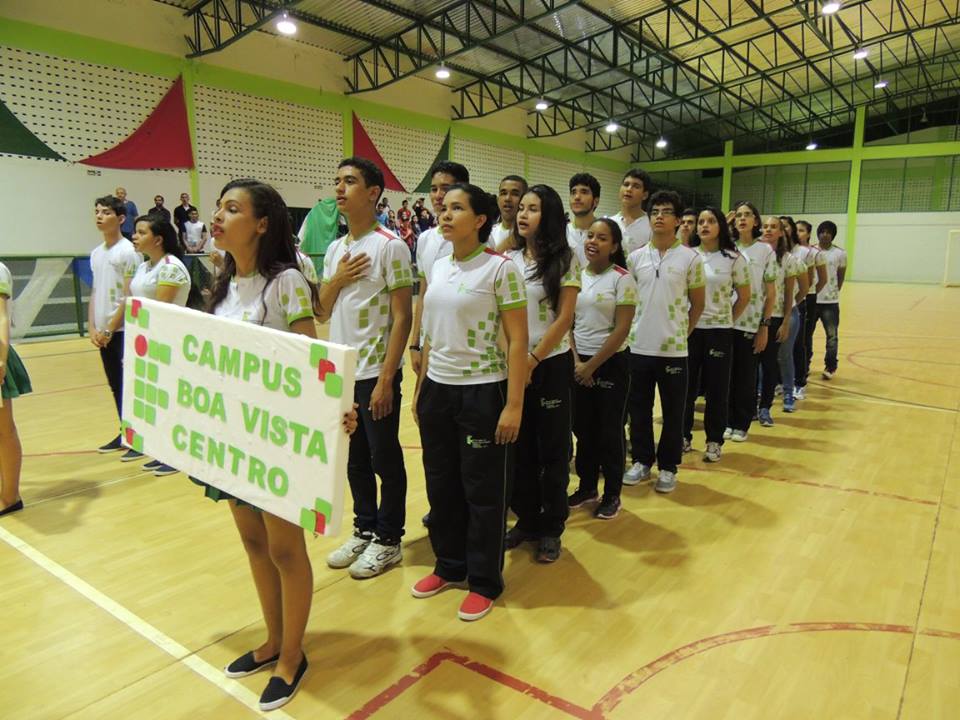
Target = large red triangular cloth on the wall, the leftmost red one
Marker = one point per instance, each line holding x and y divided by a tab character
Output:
162	141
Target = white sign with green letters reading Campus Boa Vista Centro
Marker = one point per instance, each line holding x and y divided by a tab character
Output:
250	410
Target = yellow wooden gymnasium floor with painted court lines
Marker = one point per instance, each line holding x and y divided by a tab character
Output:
808	575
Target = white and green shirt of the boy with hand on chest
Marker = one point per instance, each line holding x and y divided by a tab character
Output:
361	315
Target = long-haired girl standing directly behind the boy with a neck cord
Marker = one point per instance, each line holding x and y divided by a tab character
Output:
711	342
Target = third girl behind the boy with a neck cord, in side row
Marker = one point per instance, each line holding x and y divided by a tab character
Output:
781	319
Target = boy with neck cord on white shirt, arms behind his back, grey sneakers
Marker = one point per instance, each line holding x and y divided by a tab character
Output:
670	299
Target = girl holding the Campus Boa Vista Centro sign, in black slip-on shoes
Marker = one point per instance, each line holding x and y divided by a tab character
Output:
262	284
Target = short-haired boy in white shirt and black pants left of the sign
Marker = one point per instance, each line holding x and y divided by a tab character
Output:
113	263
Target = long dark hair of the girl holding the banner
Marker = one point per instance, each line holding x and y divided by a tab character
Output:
275	250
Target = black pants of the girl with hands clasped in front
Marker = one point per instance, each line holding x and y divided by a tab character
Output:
599	413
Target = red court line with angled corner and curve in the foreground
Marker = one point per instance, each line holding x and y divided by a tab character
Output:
613	697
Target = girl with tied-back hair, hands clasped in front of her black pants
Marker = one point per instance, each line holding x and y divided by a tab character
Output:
605	308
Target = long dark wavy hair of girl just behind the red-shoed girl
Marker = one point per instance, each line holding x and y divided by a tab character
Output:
550	247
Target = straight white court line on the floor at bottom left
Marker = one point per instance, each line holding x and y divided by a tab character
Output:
140	626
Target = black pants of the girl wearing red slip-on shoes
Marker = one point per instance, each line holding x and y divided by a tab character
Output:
468	481
